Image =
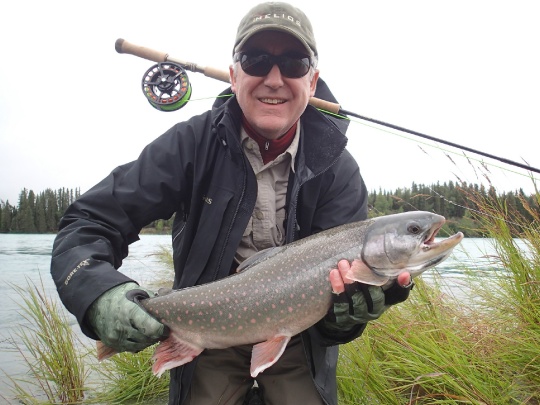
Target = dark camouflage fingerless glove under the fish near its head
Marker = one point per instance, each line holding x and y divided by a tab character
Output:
360	304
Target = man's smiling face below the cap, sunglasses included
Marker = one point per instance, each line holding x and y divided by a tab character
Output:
274	83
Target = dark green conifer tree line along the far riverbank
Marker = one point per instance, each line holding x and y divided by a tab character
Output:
41	213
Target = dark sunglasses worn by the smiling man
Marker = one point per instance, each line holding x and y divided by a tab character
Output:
256	63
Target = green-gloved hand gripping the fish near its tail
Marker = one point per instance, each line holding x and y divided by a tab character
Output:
121	324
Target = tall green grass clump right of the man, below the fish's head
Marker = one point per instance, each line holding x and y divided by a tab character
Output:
439	349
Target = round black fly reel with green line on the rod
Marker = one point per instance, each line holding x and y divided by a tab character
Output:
166	86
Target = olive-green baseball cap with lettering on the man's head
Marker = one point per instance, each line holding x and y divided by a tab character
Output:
276	16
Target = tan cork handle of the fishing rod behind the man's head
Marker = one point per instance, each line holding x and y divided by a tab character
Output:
123	46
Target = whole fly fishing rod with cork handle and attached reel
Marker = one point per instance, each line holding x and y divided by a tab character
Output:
167	88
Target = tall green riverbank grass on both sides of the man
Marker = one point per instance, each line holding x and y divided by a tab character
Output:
432	349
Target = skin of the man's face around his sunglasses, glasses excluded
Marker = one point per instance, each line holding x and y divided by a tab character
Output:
272	103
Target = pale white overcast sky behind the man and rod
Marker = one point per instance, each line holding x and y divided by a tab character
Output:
466	71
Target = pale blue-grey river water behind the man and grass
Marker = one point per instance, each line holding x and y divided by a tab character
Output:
26	258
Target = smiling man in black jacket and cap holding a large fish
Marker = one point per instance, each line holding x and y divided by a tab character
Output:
260	169
